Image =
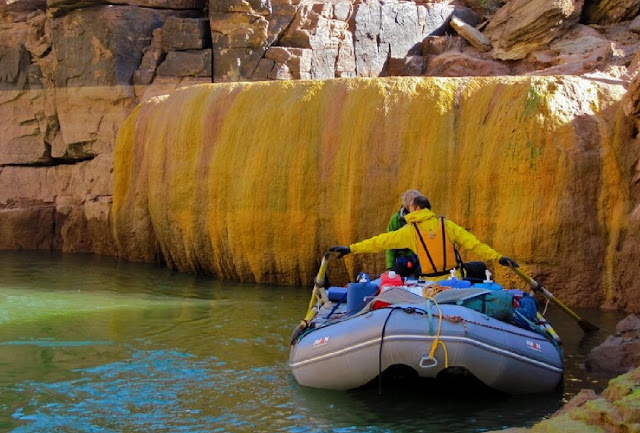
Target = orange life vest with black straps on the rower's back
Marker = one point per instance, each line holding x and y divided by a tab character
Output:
436	253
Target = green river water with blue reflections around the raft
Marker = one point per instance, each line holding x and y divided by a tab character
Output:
91	344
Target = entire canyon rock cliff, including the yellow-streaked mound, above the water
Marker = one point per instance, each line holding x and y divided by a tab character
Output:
71	72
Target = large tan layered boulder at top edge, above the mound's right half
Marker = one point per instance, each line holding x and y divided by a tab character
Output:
521	27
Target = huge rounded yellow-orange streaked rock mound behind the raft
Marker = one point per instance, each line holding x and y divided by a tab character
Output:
254	181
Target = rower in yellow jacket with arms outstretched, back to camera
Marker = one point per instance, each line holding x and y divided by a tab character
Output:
435	241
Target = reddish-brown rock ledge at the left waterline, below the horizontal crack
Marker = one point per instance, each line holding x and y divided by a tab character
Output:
65	207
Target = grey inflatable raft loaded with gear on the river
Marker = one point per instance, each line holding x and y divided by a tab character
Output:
343	347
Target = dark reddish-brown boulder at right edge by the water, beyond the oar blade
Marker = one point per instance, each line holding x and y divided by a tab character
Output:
620	352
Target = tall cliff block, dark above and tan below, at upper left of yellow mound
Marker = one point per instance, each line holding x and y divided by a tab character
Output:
95	54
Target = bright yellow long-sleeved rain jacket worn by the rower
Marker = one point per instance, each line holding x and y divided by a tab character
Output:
429	226
